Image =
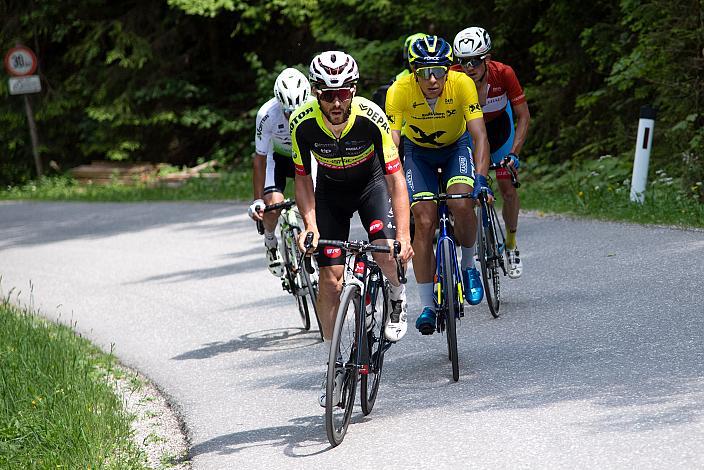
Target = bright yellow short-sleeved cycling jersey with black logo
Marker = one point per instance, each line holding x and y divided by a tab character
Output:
457	105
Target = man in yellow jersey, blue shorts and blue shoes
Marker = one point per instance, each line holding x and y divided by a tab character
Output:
440	109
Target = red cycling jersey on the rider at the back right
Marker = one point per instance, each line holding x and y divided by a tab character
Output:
503	87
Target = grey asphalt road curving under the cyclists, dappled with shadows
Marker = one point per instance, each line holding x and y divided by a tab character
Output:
596	362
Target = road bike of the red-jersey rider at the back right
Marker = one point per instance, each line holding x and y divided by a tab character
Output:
491	242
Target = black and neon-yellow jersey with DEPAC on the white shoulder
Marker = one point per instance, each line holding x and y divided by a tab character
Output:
365	150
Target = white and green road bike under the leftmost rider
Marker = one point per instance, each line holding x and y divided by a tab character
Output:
301	283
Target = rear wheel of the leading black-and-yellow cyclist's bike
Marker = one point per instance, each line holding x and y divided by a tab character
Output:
376	346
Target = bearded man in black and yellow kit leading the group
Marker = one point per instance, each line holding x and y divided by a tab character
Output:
358	171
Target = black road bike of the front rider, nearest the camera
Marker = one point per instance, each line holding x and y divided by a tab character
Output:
358	343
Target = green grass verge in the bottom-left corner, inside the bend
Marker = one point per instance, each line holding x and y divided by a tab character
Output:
57	409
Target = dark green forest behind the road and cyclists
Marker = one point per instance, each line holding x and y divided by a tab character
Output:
180	81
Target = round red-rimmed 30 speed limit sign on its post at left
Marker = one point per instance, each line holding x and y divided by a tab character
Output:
21	63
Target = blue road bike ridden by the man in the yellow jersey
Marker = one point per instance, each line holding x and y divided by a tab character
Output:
449	295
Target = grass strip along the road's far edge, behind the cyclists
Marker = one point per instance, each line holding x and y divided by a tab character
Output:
597	188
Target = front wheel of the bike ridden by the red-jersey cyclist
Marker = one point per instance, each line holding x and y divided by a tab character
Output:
490	259
